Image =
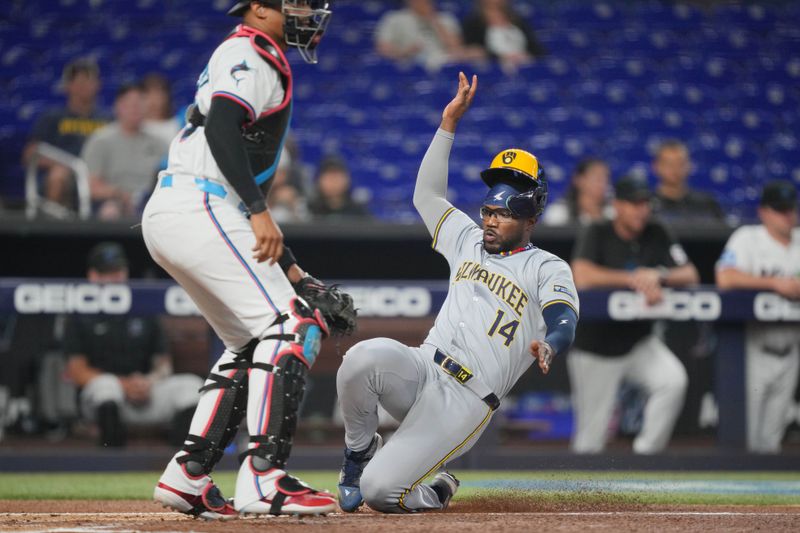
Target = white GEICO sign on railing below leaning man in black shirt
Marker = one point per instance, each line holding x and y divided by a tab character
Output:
627	305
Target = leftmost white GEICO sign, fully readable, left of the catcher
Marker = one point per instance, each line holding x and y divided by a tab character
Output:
33	298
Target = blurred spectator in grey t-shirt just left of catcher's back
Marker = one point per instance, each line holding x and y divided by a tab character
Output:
122	158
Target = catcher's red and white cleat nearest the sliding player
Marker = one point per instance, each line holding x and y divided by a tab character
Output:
277	493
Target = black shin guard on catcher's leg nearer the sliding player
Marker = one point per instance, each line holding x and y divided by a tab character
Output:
284	397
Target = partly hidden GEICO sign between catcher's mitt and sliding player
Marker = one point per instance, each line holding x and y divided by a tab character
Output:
391	301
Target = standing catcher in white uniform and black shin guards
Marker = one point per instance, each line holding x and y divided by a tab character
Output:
208	226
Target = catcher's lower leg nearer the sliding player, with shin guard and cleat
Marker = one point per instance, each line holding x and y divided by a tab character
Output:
281	363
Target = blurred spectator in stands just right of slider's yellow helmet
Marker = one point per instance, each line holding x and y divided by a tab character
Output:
587	197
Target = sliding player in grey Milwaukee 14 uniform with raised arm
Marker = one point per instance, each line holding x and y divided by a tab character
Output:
509	304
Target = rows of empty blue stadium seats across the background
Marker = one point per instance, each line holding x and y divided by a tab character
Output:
619	77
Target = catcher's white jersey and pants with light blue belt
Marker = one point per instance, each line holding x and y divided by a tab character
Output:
197	229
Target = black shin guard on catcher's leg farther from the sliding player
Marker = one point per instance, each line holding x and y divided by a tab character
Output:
204	451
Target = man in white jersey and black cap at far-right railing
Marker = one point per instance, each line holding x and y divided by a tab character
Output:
766	257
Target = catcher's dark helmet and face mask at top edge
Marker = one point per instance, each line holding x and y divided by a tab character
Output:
304	22
